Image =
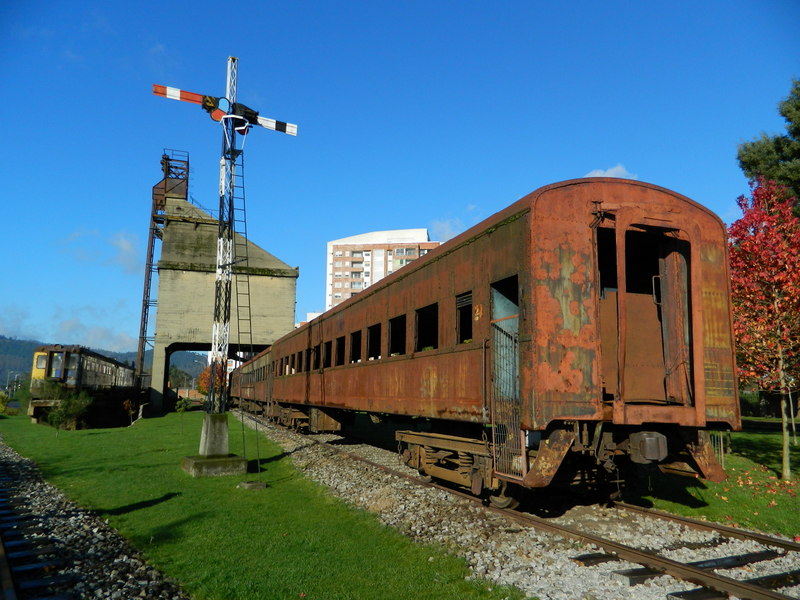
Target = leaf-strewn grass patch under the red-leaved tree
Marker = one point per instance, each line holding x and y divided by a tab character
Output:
753	495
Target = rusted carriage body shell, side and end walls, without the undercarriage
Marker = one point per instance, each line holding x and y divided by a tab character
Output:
571	351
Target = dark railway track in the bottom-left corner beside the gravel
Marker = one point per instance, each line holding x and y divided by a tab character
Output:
27	558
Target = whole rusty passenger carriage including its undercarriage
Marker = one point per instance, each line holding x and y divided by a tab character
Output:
586	325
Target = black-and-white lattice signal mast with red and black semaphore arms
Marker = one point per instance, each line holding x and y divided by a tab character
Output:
235	118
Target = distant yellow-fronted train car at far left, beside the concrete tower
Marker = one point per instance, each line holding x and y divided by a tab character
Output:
75	369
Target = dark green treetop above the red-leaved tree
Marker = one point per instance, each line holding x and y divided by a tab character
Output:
777	157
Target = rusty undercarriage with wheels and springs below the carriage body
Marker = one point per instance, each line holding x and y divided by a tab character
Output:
593	457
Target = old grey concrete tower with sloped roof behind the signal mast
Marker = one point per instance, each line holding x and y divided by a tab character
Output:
185	301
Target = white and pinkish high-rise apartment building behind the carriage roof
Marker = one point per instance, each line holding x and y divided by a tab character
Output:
356	262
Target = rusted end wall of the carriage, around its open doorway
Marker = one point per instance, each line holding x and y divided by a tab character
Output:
568	361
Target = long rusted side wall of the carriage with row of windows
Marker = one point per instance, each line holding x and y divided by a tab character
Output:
447	382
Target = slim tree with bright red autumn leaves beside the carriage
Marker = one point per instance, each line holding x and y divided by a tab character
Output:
765	287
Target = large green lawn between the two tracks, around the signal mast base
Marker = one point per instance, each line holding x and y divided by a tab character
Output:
290	540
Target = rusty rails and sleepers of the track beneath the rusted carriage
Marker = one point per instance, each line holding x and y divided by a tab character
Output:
699	572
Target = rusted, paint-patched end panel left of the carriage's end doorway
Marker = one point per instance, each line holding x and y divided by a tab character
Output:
564	365
